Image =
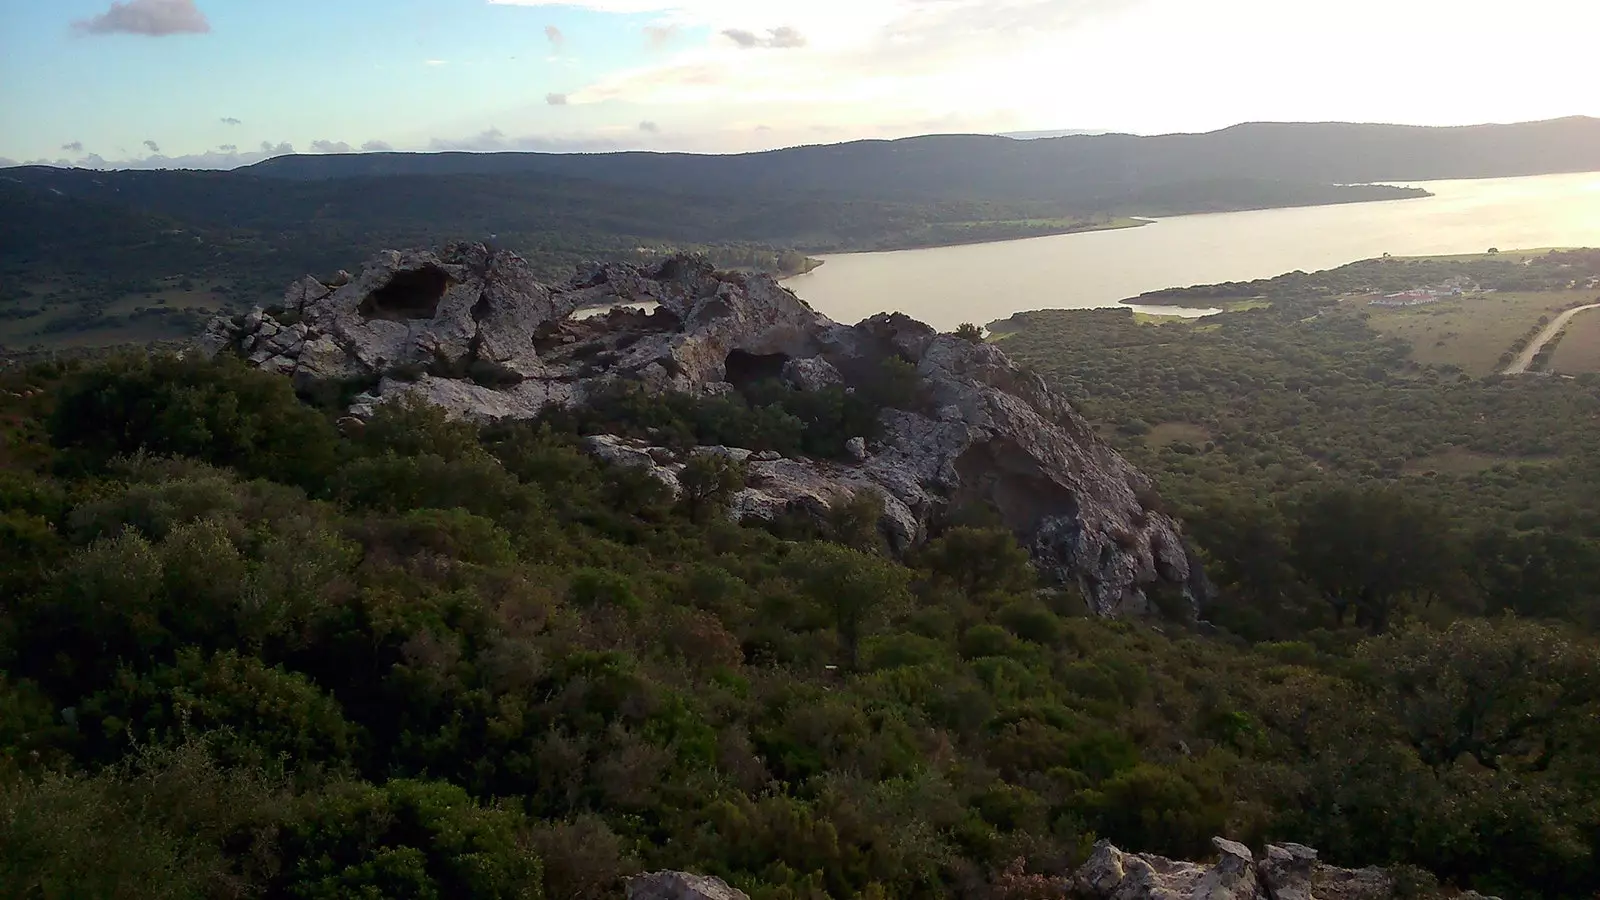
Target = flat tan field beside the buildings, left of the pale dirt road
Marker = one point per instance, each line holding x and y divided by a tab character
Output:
1470	332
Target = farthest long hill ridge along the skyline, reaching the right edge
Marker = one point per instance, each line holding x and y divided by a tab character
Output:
1089	171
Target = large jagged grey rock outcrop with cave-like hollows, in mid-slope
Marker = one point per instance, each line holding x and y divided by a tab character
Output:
470	329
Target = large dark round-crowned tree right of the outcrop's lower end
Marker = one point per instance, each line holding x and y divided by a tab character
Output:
1369	550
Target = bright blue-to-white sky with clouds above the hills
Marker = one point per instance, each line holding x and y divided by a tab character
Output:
215	84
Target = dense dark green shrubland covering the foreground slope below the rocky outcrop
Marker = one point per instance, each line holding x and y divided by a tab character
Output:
247	654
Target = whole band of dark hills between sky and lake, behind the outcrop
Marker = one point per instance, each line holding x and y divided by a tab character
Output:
90	255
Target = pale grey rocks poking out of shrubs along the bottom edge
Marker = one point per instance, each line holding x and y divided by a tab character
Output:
1287	872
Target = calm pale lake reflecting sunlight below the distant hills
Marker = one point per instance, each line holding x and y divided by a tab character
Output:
983	283
